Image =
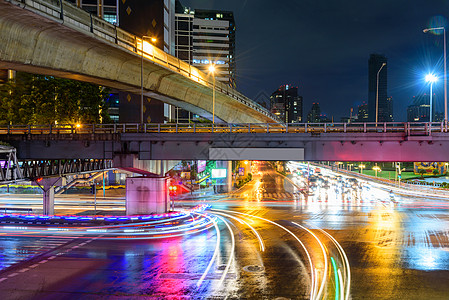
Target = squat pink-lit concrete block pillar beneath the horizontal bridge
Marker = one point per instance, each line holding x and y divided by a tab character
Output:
147	195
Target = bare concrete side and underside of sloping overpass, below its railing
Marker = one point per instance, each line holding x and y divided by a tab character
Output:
36	44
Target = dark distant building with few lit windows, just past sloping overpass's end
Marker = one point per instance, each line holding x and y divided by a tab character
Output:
286	104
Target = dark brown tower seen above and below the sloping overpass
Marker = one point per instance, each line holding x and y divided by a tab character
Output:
153	18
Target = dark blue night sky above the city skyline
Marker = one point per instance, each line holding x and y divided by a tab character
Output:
323	46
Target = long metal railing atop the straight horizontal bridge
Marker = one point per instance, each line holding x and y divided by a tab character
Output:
409	129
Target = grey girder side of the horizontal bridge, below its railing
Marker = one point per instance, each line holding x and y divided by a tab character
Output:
254	146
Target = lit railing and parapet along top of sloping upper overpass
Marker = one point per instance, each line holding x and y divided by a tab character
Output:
72	16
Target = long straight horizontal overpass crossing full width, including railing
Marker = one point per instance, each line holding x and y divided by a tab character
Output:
309	142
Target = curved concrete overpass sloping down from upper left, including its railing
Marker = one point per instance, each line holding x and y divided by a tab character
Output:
54	37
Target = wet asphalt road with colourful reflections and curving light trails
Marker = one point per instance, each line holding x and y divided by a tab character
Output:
395	251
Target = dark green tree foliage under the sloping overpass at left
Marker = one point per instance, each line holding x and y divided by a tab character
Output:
38	99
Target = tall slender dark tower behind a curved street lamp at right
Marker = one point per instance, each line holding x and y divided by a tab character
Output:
378	87
